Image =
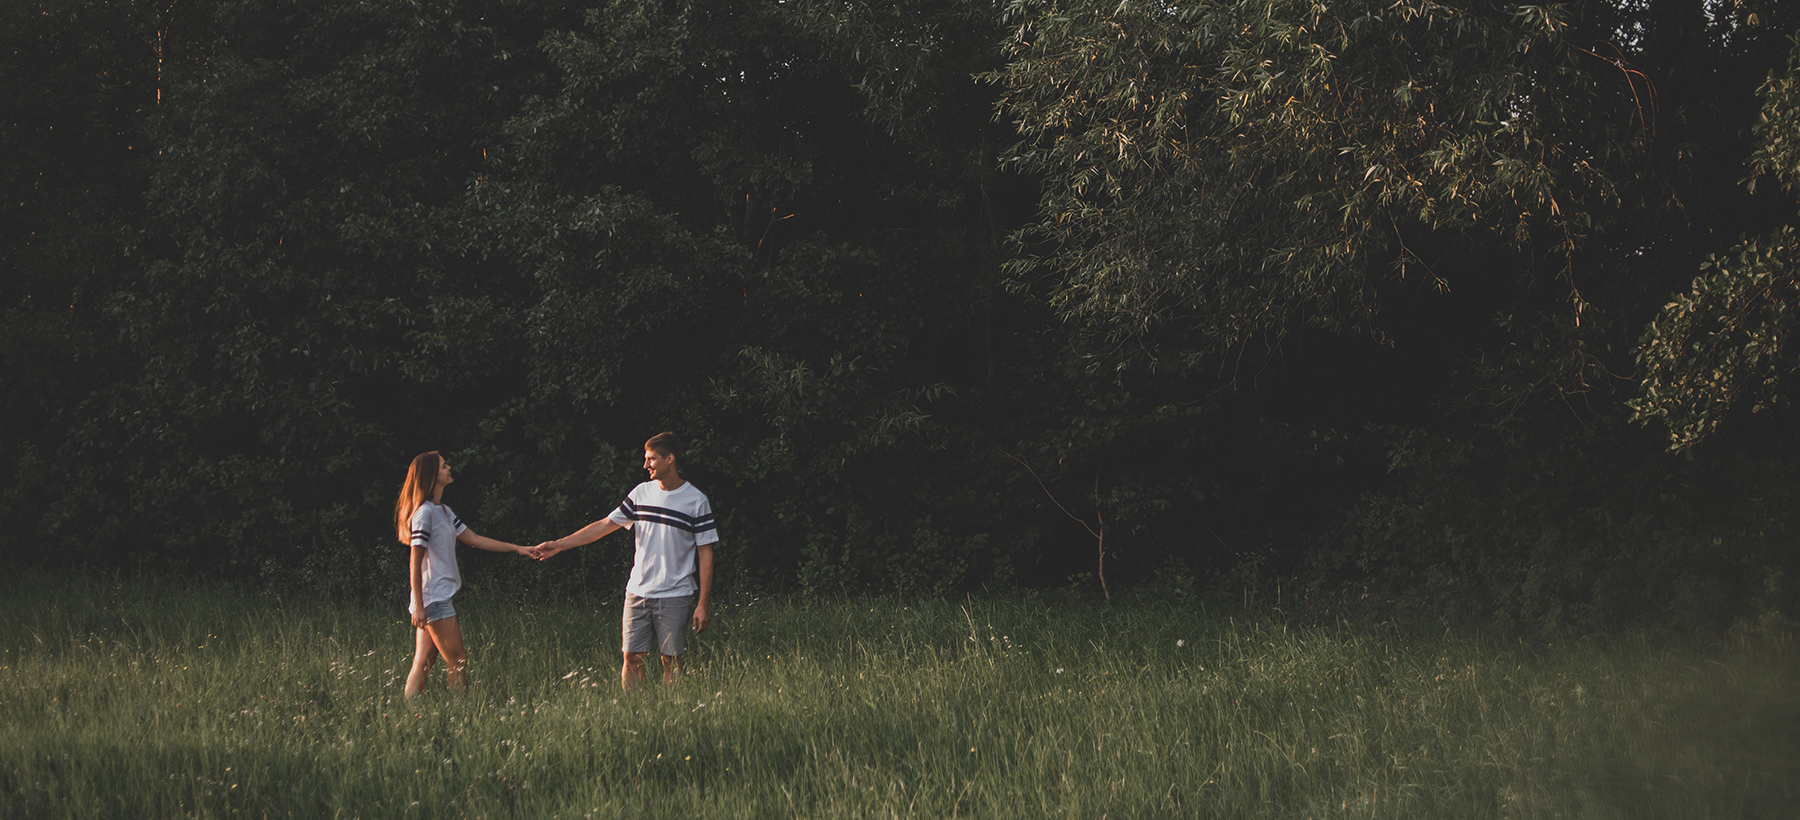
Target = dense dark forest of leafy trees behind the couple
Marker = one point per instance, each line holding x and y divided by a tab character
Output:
1475	310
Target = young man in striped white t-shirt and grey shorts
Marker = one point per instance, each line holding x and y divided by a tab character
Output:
672	575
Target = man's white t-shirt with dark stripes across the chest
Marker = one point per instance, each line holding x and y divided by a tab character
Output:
667	526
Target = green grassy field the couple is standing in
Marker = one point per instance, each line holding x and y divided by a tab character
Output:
141	702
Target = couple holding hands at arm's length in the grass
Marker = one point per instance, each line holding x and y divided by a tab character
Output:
672	573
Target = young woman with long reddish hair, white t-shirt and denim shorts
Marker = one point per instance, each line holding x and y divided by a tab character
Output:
433	530
